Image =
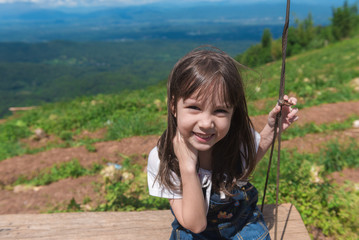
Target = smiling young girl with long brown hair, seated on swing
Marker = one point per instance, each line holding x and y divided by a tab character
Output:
203	160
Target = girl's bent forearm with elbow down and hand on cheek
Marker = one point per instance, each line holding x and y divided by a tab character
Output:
190	211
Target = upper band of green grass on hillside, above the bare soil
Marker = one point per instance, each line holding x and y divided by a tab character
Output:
316	77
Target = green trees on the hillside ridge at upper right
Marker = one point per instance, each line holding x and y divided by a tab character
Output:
304	36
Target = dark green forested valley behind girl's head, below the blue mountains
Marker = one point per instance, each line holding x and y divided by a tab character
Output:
38	73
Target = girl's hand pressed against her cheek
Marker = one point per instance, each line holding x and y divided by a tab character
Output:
186	154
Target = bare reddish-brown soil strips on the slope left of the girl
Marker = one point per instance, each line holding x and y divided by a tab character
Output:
59	194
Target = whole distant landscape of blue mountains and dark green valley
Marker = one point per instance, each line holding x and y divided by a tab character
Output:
56	54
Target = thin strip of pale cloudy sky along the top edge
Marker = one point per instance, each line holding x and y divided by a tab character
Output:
89	3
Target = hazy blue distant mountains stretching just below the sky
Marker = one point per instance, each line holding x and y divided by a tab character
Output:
31	23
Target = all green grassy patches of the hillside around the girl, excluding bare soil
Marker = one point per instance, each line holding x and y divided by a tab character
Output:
315	77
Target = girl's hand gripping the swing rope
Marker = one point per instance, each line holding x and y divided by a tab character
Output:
289	114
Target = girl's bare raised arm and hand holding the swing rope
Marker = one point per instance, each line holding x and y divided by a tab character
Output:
289	115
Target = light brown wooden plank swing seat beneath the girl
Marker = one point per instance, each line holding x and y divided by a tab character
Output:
154	225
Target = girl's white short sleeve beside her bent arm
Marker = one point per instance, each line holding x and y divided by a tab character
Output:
154	187
